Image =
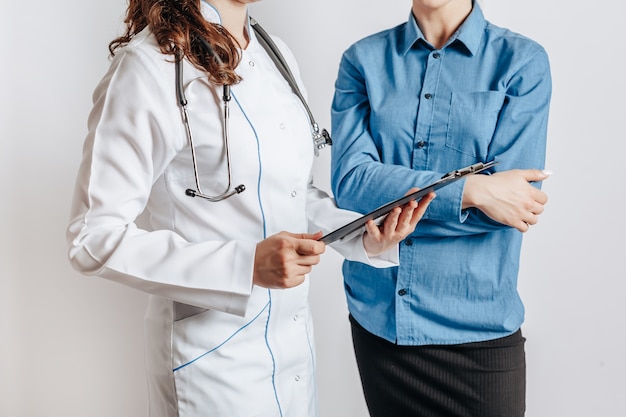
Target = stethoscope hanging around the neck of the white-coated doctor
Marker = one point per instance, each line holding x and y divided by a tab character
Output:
320	138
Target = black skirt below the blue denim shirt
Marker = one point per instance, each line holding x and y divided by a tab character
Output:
482	379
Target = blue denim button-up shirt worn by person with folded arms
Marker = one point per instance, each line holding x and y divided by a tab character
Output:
405	113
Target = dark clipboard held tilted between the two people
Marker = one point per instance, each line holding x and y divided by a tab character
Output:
447	179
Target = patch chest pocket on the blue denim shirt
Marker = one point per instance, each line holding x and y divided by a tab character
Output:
472	120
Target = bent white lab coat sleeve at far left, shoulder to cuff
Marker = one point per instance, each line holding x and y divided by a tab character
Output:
134	132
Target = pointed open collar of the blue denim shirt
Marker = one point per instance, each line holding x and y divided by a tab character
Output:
469	34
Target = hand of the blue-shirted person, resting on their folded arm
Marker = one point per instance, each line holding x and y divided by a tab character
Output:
508	197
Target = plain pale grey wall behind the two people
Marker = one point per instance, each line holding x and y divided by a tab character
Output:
72	346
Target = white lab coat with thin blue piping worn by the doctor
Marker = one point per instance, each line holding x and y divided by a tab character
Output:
216	345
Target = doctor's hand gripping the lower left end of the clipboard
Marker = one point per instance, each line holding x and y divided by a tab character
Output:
282	260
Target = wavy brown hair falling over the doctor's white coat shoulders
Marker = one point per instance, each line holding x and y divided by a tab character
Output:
178	26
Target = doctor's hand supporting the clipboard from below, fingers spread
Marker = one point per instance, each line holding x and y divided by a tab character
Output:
397	225
